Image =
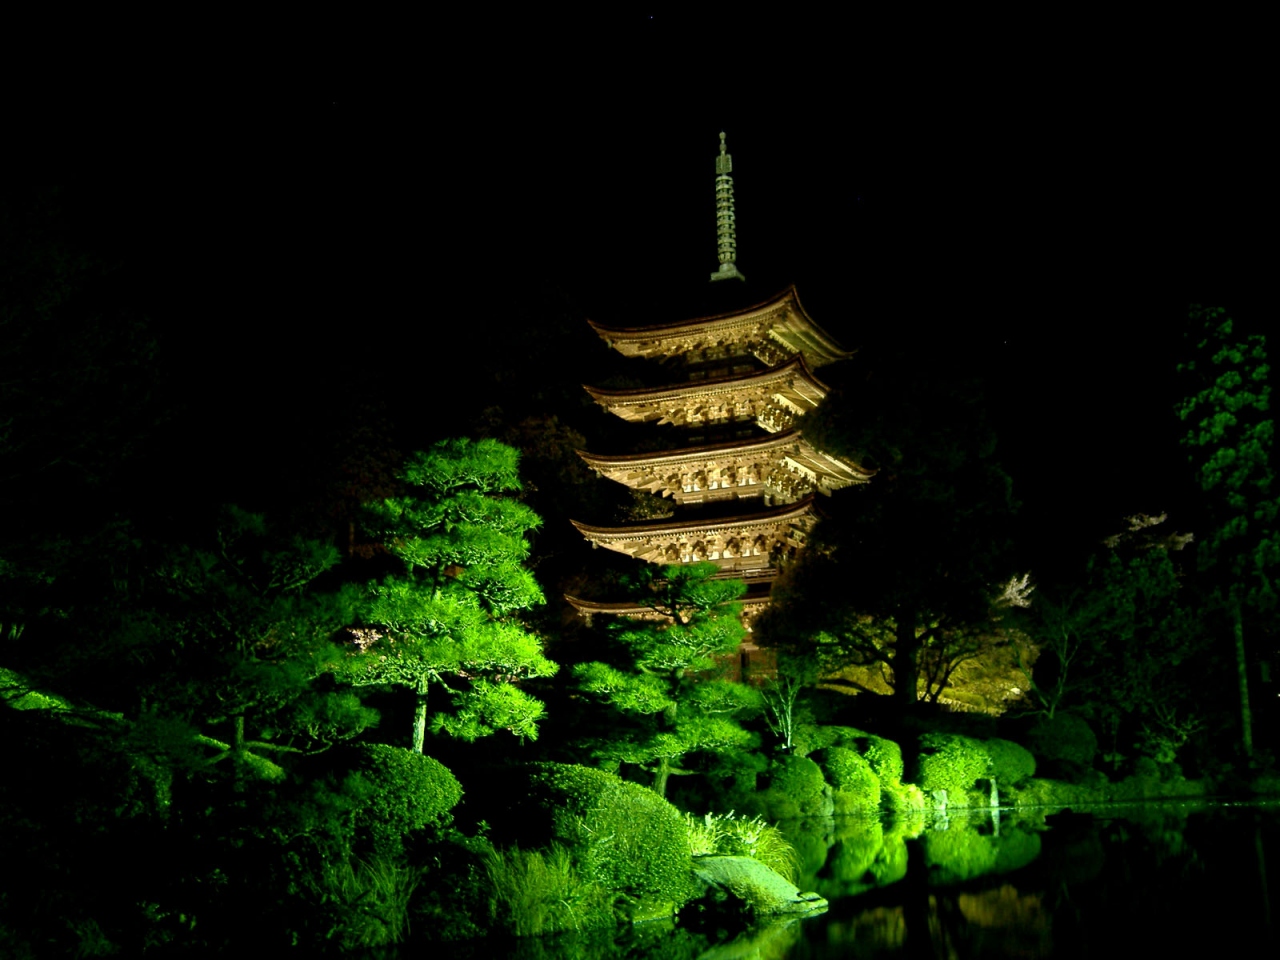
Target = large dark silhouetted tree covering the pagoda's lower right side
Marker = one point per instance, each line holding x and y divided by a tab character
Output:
906	563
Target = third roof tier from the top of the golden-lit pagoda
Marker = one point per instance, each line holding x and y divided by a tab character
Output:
781	469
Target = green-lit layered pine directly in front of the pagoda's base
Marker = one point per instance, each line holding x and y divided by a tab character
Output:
664	682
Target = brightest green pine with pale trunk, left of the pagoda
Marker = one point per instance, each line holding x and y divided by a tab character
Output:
450	615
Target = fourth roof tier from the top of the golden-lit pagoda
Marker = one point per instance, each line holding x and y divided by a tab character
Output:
748	547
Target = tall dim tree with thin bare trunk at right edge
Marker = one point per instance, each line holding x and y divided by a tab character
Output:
1229	445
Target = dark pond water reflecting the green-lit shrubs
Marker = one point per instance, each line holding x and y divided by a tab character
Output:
1169	880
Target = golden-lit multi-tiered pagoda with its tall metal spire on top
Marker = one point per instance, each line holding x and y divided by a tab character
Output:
744	483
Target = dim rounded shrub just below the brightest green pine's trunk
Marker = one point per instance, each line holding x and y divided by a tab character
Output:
406	792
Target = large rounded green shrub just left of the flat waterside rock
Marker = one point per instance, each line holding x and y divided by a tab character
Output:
624	836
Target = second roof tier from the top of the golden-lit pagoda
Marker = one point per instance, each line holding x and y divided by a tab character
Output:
774	399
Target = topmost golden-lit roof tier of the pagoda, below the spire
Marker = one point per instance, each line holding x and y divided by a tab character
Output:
772	332
